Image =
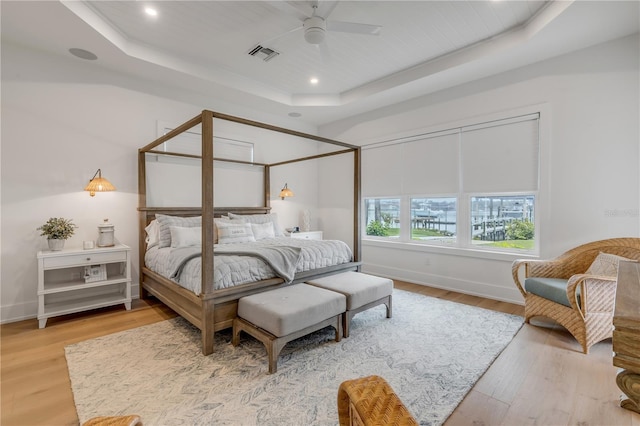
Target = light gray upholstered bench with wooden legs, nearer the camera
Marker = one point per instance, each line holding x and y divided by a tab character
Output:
279	316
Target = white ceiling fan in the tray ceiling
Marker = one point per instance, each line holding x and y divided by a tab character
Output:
317	24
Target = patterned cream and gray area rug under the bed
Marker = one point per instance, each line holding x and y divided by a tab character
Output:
431	353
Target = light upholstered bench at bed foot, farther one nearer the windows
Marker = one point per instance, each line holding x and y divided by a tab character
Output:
362	291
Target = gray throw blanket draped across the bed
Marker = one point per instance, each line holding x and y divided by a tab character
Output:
282	259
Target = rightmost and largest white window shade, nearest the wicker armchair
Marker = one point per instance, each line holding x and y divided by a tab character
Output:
501	156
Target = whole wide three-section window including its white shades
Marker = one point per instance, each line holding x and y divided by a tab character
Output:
472	187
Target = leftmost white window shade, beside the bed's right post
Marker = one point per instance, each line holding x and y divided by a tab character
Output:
382	171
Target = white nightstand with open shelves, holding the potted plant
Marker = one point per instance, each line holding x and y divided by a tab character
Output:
63	288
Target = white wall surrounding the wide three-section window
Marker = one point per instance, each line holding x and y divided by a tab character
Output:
589	170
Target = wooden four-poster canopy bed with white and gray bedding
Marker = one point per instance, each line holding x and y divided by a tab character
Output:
208	301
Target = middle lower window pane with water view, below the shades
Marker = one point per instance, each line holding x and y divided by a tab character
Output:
434	220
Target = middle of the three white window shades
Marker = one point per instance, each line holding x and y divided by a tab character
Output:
431	166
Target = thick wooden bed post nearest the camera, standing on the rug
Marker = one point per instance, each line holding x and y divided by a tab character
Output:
207	317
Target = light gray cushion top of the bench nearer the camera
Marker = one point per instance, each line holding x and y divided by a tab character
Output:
289	309
